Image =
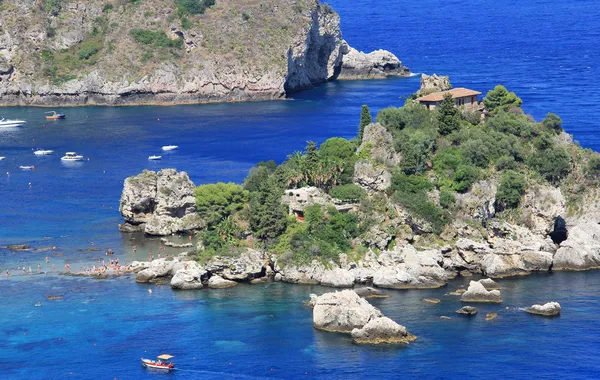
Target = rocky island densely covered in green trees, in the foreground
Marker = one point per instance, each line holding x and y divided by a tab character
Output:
419	197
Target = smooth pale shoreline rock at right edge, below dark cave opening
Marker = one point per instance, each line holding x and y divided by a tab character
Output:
581	250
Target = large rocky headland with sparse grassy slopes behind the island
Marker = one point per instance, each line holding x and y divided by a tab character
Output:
83	52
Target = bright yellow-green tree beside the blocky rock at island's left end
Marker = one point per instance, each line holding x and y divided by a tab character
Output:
215	202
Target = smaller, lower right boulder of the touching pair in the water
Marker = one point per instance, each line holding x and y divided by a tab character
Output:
382	331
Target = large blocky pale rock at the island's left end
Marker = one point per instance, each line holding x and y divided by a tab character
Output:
159	203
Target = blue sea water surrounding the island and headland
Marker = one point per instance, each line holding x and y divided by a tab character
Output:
545	51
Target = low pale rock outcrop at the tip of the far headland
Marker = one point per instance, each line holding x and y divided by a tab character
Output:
377	64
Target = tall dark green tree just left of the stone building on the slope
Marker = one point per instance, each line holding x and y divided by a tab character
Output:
267	216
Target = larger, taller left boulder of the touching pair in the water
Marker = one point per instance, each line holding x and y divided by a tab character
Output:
342	311
